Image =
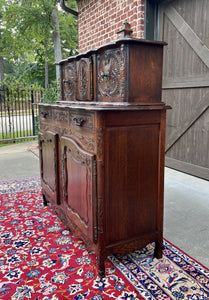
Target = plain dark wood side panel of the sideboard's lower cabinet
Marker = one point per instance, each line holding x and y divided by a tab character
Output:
131	182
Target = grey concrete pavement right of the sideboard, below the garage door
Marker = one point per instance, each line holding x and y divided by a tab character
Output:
186	214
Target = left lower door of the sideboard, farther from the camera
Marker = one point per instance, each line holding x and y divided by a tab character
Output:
48	145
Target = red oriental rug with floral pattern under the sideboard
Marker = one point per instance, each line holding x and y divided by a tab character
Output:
40	259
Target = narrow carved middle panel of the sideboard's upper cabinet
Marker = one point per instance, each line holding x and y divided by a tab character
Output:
84	79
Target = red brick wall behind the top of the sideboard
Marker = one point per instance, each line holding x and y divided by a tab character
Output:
99	20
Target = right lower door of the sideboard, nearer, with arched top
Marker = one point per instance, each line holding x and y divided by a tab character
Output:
79	187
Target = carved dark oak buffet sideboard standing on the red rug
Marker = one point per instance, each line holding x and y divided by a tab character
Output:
102	147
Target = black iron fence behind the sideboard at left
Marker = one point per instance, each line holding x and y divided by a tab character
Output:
18	114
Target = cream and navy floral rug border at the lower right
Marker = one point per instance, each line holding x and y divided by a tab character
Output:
175	276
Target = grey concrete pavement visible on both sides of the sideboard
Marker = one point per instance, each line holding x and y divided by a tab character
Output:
186	213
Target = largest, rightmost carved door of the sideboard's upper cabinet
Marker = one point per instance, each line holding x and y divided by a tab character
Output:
111	75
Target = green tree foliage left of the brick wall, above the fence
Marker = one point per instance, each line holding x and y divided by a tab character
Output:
26	34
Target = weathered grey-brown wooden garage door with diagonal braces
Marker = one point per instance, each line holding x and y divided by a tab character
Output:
184	25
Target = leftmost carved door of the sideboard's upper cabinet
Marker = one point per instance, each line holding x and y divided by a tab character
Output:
68	73
